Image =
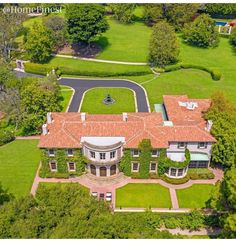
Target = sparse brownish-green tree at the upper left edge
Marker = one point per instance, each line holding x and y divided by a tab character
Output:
10	26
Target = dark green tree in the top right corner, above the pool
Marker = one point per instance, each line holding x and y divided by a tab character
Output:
220	8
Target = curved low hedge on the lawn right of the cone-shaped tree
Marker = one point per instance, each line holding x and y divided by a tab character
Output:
215	74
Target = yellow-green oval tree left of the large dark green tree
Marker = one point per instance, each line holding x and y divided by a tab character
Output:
39	43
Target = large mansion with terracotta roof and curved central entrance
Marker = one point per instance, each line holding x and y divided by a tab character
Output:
175	126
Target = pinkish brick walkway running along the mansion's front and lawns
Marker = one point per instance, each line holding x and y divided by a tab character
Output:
103	185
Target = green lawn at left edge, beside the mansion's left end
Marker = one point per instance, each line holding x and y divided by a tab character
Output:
19	161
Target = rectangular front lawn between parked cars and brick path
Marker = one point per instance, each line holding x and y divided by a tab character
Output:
143	196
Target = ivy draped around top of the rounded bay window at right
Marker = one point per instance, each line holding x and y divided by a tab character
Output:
165	163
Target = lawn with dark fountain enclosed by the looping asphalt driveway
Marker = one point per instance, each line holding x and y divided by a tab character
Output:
93	101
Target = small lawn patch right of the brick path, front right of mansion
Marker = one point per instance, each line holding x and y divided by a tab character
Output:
195	196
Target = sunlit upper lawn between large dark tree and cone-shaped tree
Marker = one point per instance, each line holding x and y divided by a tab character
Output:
125	42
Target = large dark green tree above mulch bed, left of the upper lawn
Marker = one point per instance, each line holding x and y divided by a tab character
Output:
85	22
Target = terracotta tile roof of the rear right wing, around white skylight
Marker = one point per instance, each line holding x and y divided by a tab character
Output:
180	115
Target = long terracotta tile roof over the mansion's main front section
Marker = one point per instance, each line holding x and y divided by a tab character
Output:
67	129
